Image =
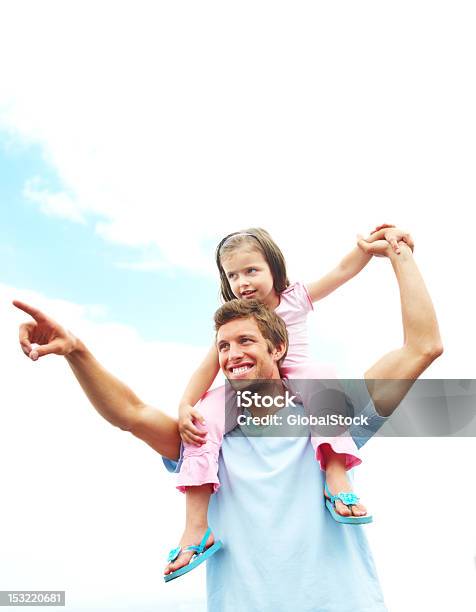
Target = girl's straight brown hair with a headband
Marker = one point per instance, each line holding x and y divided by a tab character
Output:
258	239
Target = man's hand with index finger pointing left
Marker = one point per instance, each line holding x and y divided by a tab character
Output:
43	336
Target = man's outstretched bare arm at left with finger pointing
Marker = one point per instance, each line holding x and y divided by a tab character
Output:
112	399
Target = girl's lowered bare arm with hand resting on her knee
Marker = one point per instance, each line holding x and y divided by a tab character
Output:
201	380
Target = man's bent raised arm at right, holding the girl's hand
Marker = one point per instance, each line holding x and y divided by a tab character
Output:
391	377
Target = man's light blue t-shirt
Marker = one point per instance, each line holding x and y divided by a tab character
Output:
282	549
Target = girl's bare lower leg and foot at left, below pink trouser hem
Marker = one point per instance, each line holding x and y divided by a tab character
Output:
196	523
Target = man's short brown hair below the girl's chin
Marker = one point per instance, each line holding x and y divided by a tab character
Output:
271	326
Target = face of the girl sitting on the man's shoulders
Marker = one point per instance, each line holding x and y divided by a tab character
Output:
249	276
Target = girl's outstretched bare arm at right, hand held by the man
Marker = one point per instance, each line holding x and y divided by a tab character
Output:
355	261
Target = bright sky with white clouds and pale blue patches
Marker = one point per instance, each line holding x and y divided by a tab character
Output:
133	136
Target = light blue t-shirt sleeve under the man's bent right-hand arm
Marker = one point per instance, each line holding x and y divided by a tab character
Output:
361	404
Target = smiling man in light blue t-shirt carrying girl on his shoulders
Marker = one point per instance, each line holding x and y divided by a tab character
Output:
282	549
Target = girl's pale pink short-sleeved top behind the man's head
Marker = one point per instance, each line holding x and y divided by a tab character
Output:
294	306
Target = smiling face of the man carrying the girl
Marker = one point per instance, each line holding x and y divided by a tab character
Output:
243	352
